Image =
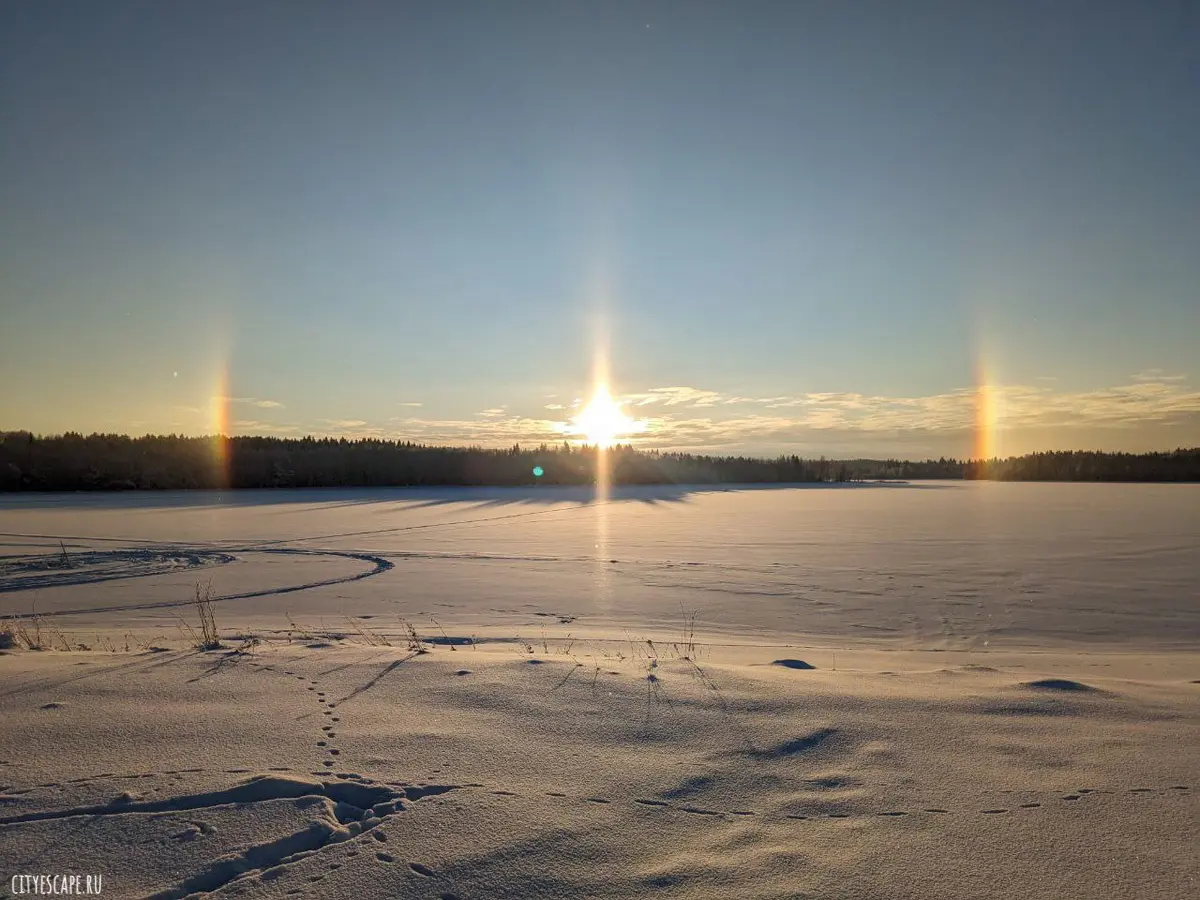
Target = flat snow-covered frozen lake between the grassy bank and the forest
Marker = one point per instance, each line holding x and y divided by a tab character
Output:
929	566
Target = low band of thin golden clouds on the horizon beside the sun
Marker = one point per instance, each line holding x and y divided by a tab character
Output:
1143	415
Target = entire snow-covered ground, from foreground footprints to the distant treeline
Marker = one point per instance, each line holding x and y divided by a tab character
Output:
979	691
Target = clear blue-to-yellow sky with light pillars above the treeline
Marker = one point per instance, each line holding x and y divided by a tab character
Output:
844	229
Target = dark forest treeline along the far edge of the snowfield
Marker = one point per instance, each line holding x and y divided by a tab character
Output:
112	463
